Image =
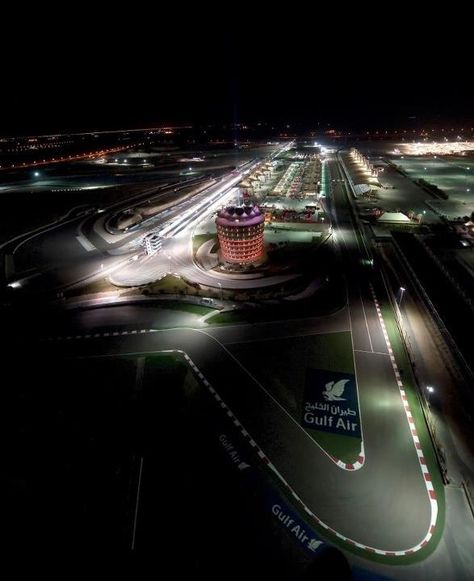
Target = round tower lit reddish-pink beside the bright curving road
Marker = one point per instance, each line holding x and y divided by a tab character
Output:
240	233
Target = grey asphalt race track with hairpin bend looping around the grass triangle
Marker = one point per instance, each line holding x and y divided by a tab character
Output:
384	504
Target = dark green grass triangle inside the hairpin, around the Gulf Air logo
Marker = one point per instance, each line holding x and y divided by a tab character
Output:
284	375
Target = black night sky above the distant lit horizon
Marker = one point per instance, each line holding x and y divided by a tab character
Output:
128	69
